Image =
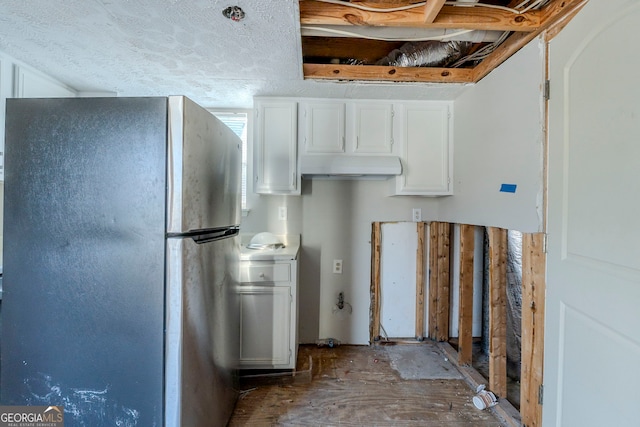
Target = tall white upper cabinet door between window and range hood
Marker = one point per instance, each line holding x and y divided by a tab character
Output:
275	147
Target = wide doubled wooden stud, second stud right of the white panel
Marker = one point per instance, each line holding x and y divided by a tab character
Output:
439	280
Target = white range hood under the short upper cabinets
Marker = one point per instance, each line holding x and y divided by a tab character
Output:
350	166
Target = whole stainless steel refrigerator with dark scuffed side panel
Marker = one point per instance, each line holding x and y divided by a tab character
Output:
121	261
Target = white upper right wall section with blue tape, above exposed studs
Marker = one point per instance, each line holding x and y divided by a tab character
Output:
498	131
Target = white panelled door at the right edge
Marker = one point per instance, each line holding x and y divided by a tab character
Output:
592	327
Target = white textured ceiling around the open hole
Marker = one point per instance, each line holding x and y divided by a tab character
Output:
178	47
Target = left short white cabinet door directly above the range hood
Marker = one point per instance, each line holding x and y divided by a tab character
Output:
324	126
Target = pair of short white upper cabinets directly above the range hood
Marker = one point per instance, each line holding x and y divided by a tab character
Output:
346	127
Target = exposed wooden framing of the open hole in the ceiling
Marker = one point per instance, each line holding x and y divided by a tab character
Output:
359	59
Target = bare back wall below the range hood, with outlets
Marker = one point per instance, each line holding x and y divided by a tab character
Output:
334	219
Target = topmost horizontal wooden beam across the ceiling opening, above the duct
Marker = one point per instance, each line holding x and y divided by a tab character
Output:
474	18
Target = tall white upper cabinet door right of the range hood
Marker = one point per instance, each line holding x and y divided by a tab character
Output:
425	150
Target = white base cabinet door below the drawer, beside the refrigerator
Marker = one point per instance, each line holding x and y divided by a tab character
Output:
265	319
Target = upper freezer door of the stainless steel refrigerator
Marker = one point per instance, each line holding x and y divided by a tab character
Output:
203	169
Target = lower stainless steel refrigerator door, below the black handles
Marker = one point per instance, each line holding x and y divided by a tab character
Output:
203	331
